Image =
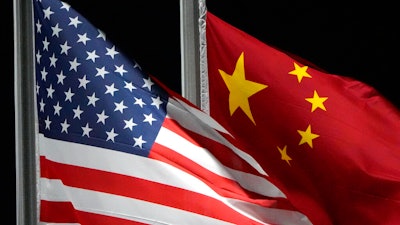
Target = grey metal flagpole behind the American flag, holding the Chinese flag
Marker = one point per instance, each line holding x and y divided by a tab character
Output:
190	68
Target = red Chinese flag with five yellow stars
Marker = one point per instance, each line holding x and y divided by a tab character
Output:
330	143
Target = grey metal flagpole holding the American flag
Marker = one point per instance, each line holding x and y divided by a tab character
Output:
25	157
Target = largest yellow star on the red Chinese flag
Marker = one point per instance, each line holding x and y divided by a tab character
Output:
240	89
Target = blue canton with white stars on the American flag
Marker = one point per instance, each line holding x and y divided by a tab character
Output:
89	92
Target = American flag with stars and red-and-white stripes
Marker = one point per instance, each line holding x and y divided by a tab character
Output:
117	147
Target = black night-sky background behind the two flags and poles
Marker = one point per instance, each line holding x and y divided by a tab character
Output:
359	41
